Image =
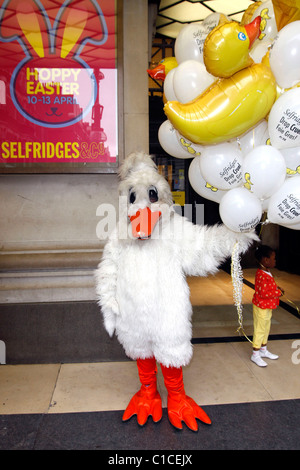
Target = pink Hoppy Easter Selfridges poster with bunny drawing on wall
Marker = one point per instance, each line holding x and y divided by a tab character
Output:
58	85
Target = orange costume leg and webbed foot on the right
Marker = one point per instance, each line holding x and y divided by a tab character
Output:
180	406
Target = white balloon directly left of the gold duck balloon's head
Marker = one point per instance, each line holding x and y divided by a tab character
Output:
190	41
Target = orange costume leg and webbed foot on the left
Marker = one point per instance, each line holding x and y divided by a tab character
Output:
146	402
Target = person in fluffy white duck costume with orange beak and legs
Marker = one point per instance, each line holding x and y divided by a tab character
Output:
142	290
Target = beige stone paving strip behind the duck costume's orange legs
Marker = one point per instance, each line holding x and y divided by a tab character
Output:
218	374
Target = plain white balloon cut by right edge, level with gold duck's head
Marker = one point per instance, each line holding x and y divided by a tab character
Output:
285	55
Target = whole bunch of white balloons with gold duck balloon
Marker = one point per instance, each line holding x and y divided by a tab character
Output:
232	101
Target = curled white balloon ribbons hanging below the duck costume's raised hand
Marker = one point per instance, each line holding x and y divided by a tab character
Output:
237	282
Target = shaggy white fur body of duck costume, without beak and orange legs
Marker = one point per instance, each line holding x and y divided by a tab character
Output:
141	284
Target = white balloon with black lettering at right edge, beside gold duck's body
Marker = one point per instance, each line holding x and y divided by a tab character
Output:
284	120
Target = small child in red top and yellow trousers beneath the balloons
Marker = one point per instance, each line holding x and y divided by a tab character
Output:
265	299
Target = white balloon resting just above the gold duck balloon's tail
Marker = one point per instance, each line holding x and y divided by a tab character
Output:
190	80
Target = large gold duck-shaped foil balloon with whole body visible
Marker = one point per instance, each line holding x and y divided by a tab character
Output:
242	95
